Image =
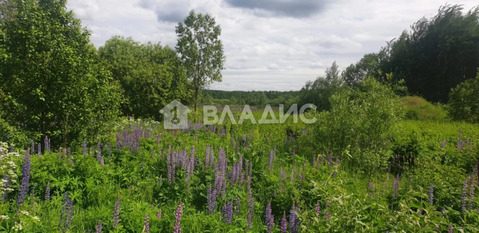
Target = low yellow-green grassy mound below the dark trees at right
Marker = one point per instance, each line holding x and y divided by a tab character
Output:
418	108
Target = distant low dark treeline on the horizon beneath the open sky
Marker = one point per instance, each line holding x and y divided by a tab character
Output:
253	98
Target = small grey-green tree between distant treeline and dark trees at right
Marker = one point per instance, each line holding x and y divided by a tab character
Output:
317	92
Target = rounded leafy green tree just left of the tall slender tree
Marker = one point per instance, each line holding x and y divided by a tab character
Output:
150	69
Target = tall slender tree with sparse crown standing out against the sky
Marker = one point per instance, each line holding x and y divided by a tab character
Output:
200	50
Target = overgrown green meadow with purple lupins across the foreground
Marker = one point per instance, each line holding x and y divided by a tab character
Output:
247	178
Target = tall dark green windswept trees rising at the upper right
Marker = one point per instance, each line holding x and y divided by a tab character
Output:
436	55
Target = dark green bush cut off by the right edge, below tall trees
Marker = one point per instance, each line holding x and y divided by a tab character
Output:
463	101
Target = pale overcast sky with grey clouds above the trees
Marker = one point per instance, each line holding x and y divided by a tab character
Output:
269	44
